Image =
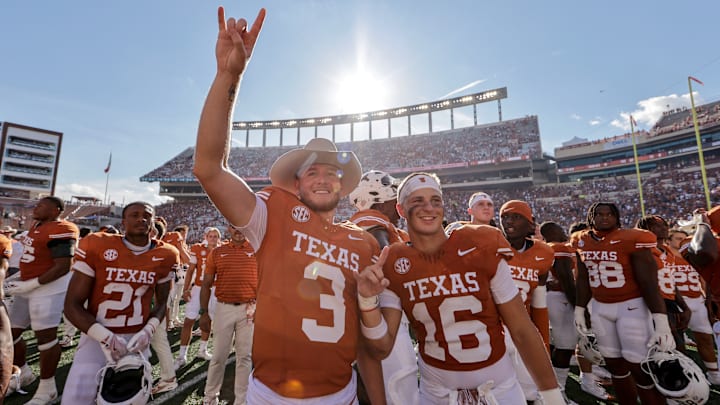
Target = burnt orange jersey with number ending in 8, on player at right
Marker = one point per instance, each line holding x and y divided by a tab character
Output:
608	262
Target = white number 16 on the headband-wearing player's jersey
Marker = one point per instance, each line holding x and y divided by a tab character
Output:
453	330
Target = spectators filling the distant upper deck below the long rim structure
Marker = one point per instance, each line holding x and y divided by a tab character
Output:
506	140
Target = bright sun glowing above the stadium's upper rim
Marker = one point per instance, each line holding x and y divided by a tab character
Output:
360	92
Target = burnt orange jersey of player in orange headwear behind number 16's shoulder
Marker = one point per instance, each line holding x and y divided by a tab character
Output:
528	266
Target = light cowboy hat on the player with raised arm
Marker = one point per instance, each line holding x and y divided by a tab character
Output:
290	165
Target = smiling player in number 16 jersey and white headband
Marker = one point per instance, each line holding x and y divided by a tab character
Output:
457	292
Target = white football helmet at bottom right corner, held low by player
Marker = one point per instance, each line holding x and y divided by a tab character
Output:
676	376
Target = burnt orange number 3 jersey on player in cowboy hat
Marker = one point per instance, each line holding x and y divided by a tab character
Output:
307	318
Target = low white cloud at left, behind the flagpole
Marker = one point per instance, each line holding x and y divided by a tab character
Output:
121	191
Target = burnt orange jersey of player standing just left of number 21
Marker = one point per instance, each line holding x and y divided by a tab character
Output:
37	258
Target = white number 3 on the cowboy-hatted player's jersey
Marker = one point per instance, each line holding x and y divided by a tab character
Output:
334	303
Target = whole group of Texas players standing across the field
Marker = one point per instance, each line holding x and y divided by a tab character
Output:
497	308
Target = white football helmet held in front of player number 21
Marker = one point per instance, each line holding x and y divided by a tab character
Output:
126	382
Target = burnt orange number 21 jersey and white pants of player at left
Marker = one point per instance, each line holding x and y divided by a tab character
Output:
124	285
